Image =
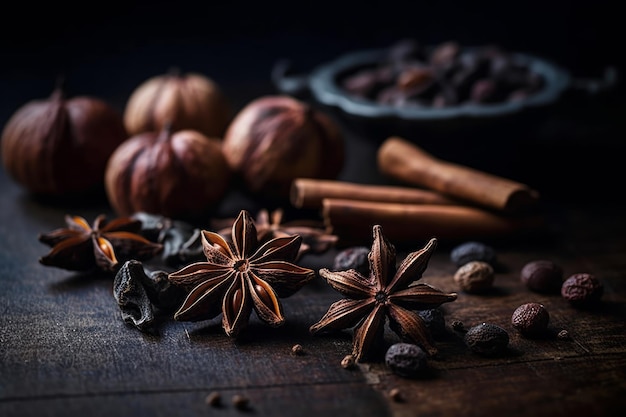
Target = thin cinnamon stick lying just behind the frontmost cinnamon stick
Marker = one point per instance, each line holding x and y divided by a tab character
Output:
309	193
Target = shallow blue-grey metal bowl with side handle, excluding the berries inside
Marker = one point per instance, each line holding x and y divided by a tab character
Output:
323	83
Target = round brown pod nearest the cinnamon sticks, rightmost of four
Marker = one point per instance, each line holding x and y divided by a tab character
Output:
275	139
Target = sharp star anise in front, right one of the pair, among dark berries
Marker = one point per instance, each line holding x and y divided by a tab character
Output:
388	293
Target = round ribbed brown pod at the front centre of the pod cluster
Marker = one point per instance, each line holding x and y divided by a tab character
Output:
178	175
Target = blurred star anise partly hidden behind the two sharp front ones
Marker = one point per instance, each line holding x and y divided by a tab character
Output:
315	239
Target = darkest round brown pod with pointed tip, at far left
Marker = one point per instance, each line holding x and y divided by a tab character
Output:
60	145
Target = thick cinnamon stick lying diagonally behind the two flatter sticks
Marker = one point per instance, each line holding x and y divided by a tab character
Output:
405	161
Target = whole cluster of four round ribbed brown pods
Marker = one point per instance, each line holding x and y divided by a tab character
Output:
174	150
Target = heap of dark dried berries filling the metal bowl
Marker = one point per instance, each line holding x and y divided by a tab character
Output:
413	75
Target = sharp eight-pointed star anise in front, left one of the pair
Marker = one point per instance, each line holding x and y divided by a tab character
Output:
240	276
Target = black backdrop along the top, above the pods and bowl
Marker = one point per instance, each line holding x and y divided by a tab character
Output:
111	46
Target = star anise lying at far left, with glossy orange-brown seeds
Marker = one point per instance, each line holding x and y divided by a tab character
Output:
104	245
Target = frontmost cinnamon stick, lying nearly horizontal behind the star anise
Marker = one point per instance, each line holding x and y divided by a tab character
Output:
354	220
